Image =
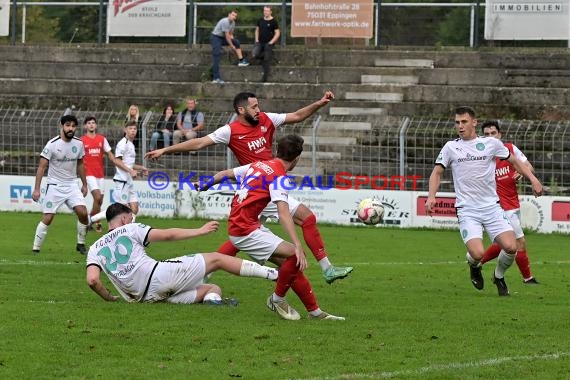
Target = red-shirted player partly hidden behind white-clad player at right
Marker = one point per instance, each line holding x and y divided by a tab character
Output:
506	178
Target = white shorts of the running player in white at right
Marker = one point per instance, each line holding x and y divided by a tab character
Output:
472	221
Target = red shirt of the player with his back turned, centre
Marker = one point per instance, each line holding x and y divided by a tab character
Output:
260	183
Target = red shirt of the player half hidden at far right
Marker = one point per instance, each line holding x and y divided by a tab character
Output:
506	184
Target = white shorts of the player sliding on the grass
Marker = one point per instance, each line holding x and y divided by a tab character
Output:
175	280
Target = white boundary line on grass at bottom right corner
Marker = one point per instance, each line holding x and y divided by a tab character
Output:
445	367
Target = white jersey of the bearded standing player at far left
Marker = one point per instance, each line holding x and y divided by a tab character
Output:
63	156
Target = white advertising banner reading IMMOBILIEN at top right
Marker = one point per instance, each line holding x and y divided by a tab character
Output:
526	20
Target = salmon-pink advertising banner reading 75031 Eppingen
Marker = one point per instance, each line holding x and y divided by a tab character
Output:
332	18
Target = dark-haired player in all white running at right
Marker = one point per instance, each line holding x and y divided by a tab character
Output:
472	162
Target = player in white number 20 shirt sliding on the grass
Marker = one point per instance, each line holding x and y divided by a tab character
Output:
121	255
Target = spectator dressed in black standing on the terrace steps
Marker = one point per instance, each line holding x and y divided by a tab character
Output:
267	33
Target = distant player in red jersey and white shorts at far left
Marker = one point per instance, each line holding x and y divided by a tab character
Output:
96	146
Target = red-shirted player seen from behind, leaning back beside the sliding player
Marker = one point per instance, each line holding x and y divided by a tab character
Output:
260	183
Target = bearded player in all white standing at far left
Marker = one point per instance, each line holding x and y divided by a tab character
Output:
62	156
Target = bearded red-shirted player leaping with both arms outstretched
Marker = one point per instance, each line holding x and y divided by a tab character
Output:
250	137
